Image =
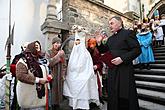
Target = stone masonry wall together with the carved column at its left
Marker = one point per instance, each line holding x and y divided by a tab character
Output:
91	14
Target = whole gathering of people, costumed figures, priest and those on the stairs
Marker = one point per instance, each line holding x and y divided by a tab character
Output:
99	71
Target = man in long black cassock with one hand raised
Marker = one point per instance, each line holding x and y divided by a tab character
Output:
124	47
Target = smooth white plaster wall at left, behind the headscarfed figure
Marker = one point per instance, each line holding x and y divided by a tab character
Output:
28	16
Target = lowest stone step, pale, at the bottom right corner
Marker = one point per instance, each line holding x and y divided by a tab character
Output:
146	105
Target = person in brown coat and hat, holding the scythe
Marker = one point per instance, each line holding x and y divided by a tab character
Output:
57	65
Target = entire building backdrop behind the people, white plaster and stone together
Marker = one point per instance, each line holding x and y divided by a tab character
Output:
43	19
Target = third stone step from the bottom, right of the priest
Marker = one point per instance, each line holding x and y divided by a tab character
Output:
151	85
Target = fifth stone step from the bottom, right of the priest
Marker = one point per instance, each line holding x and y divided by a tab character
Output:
150	72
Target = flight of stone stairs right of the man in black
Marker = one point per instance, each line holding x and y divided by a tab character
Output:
151	83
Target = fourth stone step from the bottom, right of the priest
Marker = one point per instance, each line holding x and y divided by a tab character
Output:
150	78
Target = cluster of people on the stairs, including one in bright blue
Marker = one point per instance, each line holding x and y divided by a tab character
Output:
150	34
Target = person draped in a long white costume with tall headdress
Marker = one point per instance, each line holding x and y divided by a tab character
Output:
80	85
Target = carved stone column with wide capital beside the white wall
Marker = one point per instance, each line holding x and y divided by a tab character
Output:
52	27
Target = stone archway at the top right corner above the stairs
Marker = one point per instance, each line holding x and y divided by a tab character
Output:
158	6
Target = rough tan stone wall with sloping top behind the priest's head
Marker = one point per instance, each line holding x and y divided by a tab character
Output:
91	14
